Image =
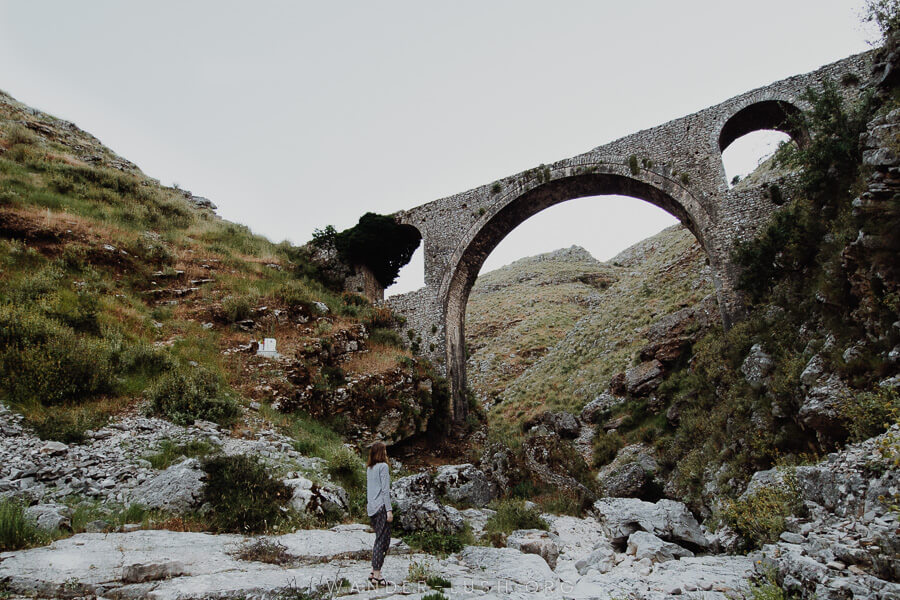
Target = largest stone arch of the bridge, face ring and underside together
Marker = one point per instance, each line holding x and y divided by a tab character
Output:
605	177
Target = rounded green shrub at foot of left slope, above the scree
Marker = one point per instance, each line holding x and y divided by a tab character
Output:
187	394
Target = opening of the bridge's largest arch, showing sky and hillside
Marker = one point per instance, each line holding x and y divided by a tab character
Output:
561	281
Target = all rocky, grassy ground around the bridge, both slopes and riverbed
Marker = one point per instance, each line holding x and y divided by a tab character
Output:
152	445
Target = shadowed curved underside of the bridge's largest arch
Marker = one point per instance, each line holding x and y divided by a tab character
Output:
471	255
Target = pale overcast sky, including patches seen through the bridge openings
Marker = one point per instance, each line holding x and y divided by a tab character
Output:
295	115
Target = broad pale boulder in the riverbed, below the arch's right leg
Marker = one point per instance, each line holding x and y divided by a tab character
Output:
667	519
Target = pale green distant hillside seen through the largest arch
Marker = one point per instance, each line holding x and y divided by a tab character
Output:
569	338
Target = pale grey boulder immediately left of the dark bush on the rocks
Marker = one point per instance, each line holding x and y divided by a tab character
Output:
177	489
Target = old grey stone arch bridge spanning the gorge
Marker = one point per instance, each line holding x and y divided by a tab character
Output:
676	166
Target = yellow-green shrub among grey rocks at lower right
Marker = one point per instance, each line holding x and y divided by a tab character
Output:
761	517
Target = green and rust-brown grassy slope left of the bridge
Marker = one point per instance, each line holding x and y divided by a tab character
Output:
91	250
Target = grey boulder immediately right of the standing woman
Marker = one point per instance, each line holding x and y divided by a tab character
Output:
418	508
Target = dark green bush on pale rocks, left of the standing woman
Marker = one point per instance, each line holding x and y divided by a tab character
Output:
242	496
